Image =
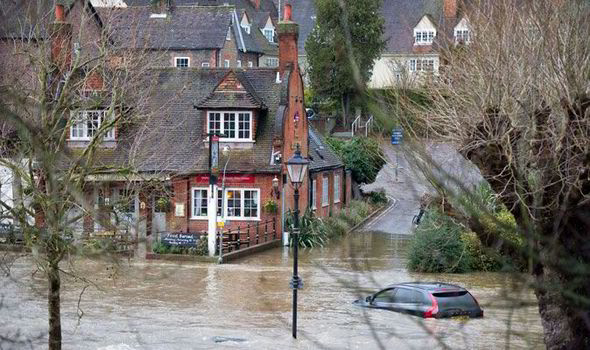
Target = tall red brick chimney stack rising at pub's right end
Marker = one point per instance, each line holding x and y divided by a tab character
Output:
288	35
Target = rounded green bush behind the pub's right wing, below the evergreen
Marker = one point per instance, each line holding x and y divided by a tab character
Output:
361	155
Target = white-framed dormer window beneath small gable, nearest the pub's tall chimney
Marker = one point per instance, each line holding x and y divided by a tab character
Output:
236	125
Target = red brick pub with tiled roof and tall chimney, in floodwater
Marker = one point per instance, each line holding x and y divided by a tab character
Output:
256	120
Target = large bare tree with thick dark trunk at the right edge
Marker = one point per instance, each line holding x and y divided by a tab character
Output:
516	101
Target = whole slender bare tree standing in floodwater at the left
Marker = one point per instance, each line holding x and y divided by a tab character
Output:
66	79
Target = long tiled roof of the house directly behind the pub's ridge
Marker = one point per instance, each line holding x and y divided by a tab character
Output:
185	27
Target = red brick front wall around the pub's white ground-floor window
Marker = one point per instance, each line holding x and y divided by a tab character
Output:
182	194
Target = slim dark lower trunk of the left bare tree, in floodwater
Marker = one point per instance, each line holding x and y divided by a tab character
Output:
54	305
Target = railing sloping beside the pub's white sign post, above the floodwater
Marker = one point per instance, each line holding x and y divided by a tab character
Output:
249	235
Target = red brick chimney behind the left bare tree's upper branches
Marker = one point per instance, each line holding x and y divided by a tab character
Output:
61	37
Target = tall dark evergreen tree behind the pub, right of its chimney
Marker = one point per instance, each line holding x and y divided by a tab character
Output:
343	47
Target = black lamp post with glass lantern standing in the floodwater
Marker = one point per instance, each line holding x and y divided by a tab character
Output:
297	168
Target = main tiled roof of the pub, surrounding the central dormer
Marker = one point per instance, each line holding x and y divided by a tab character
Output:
172	137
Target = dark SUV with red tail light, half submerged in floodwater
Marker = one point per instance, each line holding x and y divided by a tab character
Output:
429	299
